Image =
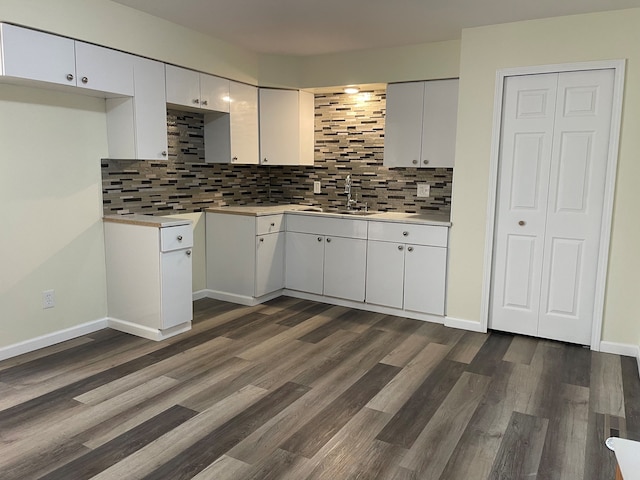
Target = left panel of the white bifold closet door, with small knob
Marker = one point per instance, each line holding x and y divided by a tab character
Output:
526	145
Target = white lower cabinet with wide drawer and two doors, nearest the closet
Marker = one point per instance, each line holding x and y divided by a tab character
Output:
410	276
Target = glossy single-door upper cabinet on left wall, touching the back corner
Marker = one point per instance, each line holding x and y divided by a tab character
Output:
233	137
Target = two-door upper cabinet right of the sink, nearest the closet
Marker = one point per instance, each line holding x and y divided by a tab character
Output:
420	125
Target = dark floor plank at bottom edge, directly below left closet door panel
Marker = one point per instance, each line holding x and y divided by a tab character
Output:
521	448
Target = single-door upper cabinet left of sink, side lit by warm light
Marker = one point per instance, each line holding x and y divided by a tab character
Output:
286	127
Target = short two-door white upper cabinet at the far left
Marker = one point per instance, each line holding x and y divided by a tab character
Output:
33	55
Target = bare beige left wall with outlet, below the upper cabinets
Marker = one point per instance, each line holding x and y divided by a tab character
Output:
50	192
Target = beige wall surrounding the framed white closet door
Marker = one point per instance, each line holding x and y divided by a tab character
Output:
611	35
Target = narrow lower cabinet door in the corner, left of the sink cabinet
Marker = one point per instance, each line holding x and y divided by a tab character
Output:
269	263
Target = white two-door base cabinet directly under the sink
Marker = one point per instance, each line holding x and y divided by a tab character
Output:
326	256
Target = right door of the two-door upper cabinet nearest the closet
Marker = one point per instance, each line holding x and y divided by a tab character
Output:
439	123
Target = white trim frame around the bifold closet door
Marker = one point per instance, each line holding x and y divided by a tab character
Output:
612	162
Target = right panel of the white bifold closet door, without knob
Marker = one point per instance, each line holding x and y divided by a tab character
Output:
574	211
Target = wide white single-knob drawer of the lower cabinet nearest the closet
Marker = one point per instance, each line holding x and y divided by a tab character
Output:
409	233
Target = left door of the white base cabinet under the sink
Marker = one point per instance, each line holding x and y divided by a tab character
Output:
304	262
